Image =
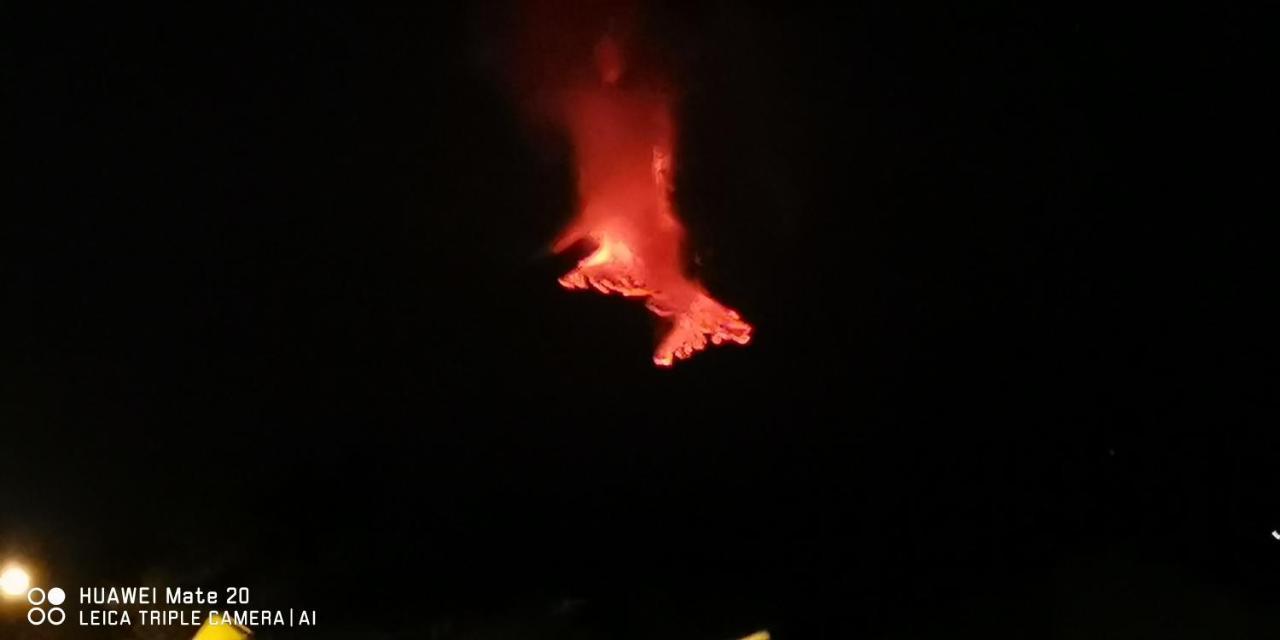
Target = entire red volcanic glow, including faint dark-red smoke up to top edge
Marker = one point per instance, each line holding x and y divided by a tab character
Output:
604	93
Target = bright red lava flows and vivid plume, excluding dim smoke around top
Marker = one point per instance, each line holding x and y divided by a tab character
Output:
623	144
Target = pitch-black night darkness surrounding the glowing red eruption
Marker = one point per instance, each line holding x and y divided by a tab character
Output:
280	314
